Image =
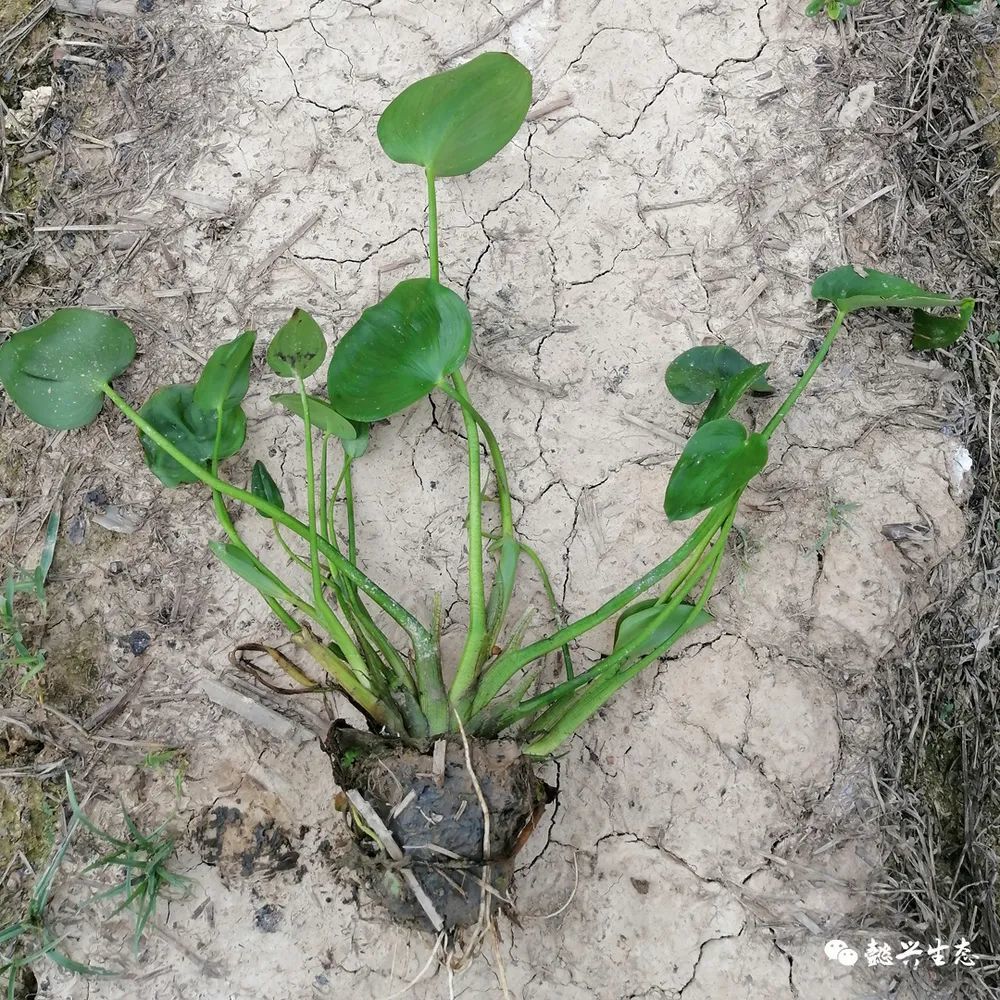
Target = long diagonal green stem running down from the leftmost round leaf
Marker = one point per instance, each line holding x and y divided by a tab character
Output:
419	635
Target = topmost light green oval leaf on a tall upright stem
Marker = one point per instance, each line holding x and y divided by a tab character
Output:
455	121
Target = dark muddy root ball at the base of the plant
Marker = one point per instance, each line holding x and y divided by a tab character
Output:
435	820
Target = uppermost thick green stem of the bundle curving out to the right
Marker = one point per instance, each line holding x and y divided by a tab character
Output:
509	663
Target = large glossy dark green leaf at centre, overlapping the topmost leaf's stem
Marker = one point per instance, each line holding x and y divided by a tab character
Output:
399	350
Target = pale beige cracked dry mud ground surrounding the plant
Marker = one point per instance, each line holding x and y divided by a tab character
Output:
678	182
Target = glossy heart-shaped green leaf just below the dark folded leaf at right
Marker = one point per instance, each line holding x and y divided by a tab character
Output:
720	459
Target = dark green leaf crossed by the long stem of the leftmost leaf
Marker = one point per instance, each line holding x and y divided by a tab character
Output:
173	412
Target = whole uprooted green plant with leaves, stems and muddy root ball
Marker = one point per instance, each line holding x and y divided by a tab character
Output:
441	791
